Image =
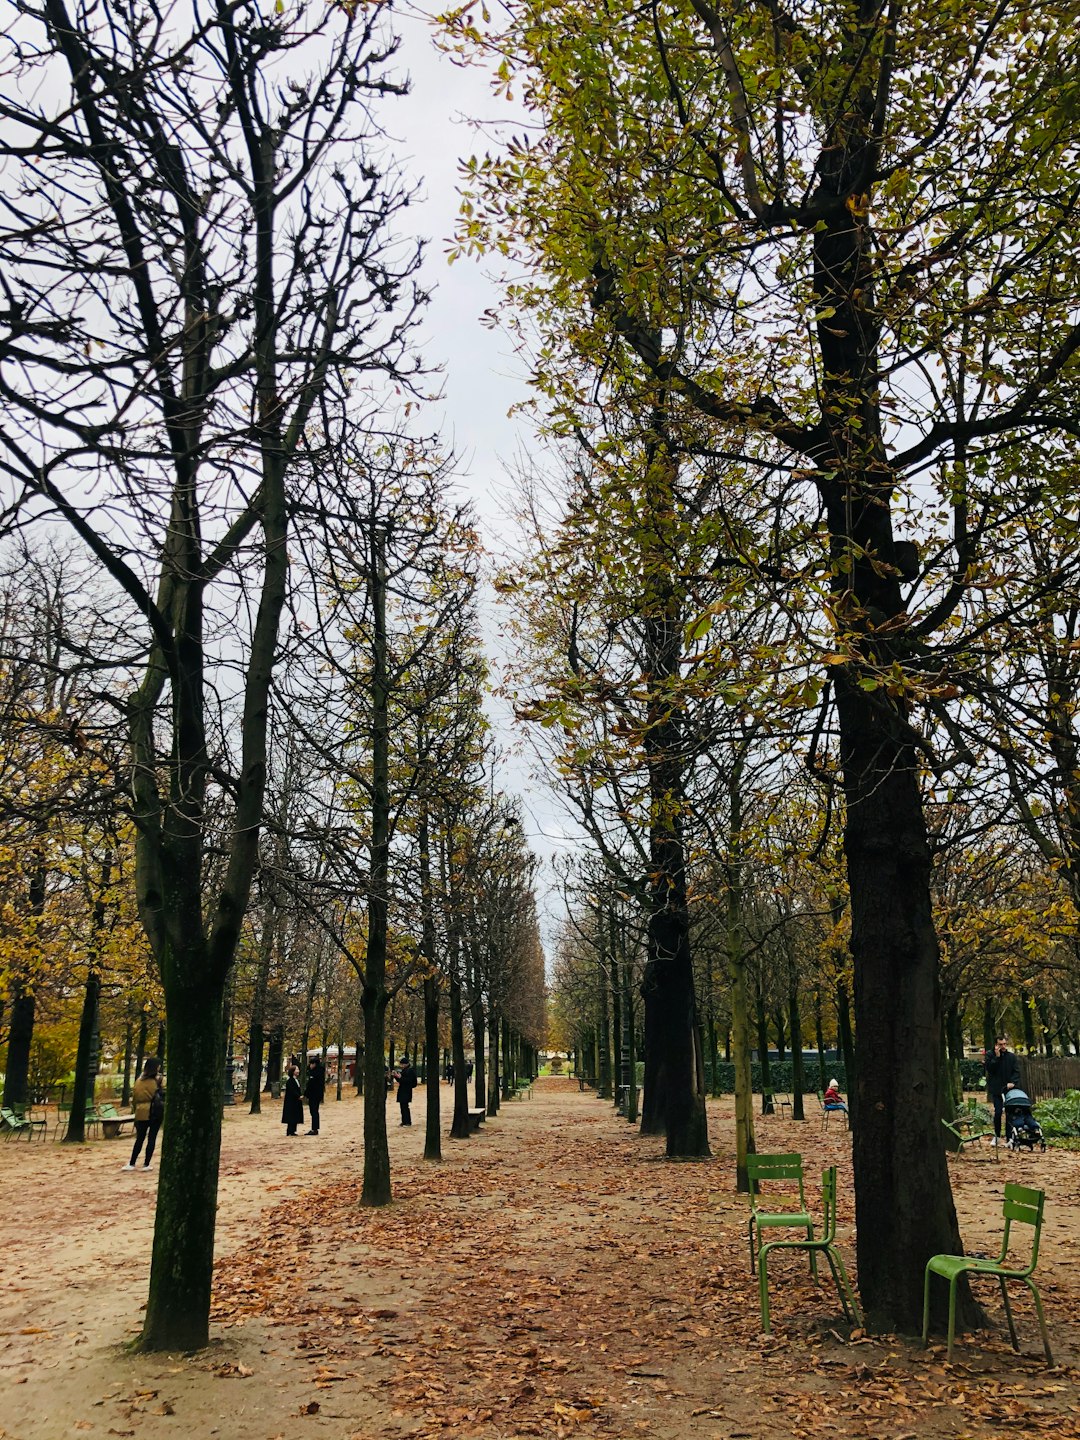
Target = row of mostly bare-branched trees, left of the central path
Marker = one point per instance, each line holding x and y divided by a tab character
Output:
208	378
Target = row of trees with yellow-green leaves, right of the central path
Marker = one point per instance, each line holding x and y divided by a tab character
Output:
809	358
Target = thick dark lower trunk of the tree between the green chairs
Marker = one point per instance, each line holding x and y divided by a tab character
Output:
904	1203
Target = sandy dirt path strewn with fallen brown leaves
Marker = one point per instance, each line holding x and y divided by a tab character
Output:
554	1277
